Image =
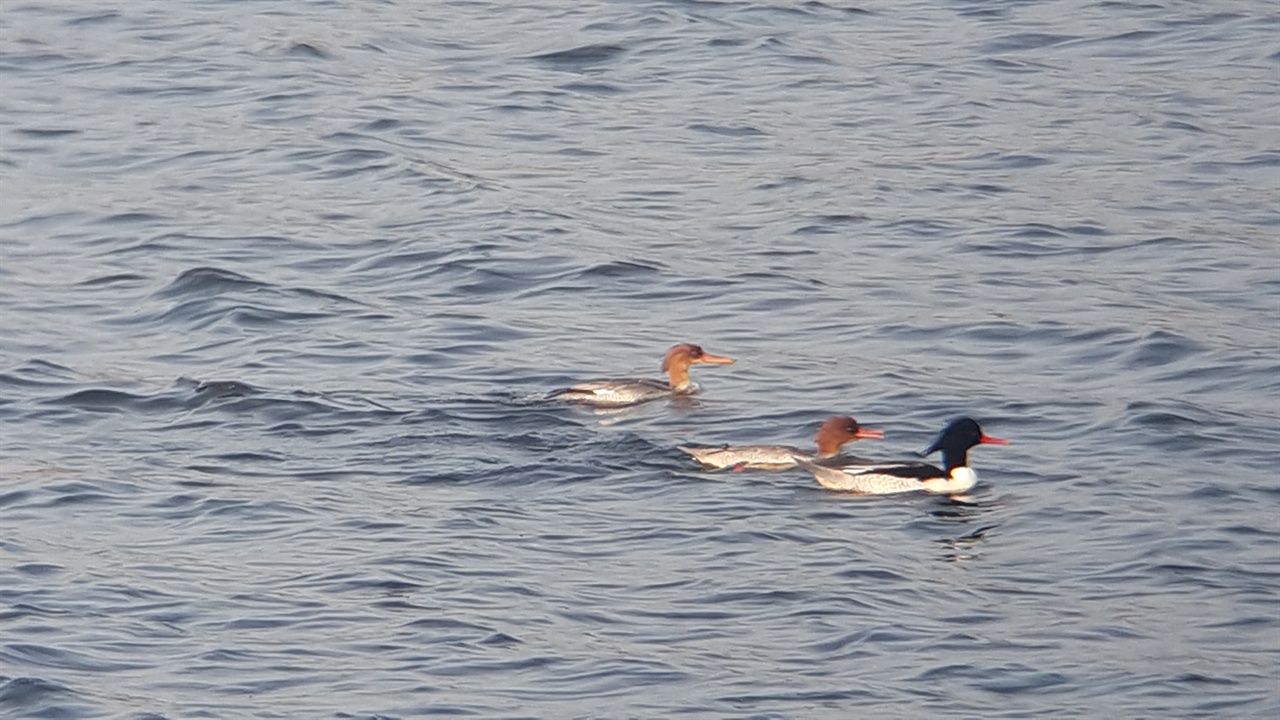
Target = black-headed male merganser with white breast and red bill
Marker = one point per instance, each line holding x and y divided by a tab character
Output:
885	479
